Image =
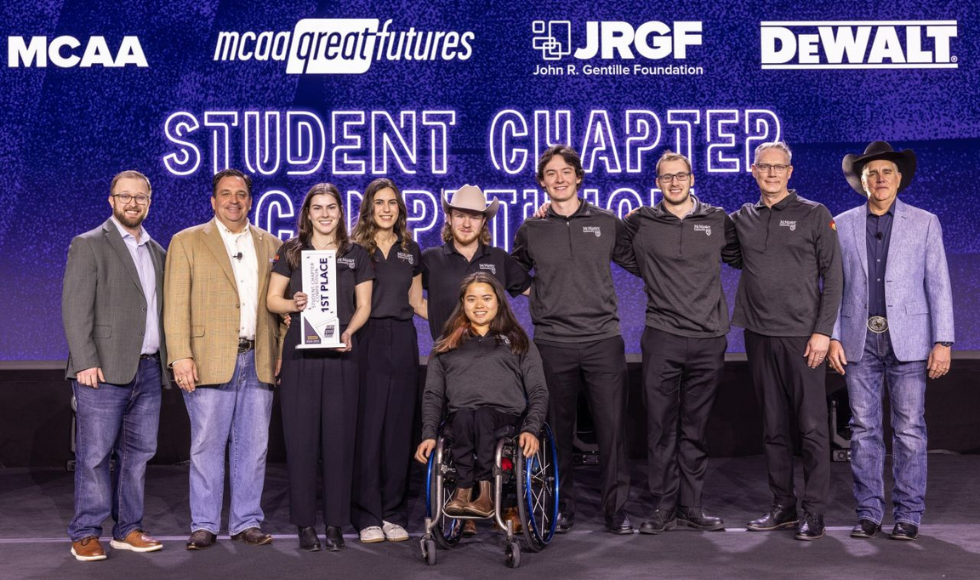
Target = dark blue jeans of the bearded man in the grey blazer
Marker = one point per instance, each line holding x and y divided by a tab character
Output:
120	420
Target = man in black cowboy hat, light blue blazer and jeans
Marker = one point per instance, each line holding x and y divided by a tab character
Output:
894	328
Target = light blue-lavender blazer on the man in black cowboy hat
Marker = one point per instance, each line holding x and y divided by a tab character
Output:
918	296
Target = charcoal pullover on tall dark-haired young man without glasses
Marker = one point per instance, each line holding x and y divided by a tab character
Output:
573	298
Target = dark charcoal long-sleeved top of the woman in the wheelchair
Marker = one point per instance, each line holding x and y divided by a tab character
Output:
483	372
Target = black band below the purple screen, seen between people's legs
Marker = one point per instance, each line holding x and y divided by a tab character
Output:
35	414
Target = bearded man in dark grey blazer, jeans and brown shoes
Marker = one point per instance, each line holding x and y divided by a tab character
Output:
112	305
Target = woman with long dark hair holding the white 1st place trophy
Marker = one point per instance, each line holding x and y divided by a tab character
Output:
320	386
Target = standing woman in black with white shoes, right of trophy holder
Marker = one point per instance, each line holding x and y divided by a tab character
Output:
389	358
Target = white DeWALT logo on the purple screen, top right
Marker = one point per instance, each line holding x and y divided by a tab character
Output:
858	44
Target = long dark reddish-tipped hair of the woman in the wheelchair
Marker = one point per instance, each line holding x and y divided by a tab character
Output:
504	325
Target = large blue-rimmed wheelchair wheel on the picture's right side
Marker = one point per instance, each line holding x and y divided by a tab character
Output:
537	487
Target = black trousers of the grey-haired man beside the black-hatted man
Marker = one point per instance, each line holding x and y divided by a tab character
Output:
791	392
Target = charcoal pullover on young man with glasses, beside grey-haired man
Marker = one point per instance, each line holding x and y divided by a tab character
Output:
679	262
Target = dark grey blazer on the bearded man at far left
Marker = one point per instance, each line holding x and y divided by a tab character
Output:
103	307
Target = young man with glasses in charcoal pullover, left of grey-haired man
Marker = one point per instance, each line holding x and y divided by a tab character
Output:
678	244
